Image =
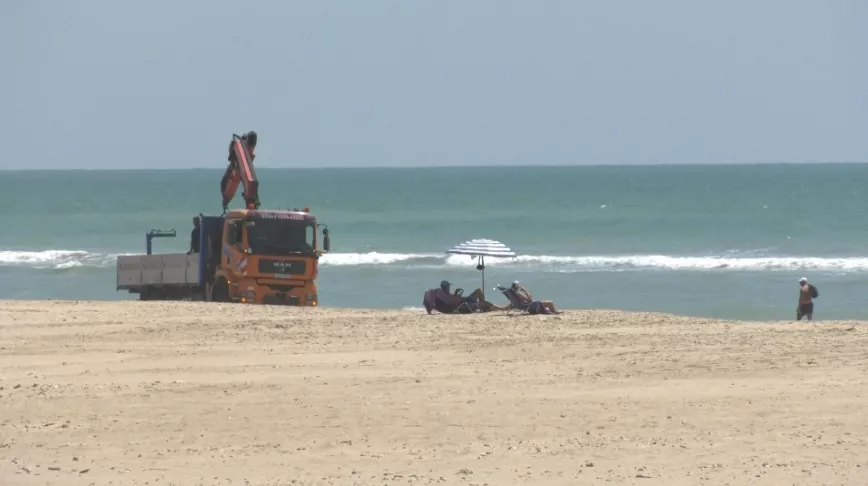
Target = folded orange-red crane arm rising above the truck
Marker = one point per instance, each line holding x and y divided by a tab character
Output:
240	171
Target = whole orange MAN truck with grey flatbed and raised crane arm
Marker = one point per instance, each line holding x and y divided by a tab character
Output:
249	255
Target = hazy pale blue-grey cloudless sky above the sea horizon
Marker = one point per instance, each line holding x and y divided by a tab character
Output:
160	84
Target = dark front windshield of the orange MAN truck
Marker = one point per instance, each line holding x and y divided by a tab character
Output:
281	237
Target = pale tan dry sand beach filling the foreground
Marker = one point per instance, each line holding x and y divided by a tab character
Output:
194	393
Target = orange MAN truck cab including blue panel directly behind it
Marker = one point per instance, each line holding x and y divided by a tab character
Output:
262	256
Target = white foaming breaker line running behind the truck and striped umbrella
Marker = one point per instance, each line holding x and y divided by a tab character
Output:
71	259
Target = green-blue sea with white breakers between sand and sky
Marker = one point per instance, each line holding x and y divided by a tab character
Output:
721	241
